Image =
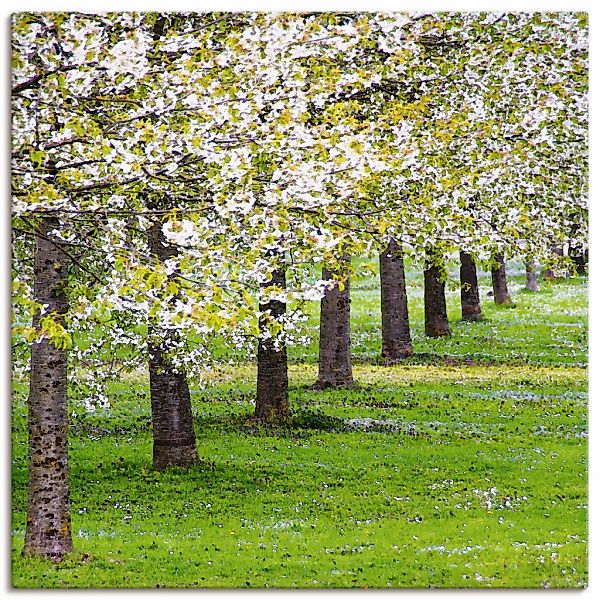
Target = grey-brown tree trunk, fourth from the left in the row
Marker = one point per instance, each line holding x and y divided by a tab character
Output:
335	367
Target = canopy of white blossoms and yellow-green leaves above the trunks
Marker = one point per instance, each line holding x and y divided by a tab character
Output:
291	134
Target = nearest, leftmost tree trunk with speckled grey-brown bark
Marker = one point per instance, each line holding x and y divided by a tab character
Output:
48	531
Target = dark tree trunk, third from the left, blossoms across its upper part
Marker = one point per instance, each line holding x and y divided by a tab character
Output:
272	403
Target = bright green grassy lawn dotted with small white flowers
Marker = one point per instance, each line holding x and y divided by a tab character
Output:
466	466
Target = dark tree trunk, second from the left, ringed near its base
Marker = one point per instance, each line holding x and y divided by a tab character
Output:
174	441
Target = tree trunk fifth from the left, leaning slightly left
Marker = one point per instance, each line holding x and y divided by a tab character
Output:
395	329
